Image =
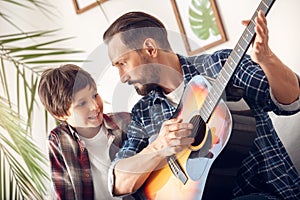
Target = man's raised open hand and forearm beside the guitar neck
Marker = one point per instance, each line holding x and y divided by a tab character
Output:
283	81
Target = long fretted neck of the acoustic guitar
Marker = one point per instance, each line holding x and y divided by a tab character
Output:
232	63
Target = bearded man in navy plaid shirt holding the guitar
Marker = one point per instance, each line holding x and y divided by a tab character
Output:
139	48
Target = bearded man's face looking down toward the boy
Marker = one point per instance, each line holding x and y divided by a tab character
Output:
135	66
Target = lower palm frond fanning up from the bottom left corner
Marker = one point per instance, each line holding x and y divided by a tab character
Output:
16	149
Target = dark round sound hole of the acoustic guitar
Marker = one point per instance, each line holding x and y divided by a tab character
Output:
199	129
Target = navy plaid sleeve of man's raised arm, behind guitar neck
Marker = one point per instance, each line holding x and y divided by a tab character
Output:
250	77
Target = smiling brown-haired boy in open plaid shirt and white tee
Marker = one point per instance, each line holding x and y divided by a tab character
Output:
82	146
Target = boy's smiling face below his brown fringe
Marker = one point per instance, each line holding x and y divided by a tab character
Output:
86	110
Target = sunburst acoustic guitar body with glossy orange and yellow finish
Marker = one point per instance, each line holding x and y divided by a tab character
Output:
196	160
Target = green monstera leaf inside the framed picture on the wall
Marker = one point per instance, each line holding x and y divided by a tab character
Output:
202	20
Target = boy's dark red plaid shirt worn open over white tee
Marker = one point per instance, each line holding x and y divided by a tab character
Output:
70	165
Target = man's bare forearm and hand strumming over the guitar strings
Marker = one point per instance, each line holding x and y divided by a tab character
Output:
131	173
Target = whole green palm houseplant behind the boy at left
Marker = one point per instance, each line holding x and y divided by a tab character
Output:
23	168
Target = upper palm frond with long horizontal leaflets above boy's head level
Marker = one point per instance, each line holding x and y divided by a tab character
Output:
25	60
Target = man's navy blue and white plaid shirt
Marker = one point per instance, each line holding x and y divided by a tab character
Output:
268	168
